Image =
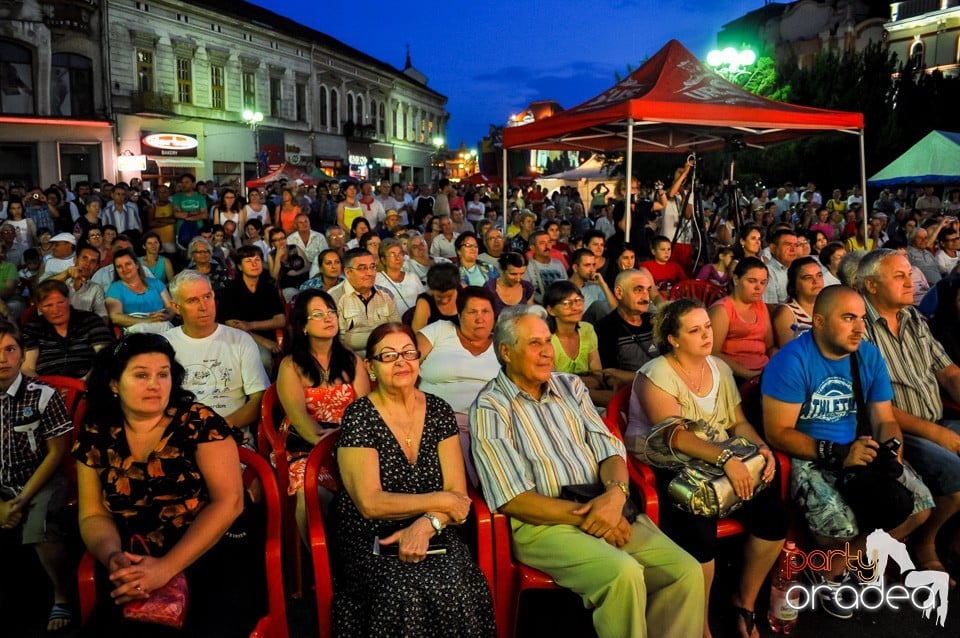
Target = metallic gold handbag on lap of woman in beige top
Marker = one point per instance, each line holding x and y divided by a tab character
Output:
700	487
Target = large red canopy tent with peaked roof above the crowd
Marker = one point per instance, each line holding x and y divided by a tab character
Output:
676	103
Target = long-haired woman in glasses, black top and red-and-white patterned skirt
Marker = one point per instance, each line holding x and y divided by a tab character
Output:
318	378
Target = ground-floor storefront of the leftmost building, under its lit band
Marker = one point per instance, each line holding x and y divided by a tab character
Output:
42	151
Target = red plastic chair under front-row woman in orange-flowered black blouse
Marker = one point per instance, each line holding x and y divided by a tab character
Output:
274	624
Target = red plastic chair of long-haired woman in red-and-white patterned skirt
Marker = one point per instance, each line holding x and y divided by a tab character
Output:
272	445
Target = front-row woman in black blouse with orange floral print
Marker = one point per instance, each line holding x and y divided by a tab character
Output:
155	464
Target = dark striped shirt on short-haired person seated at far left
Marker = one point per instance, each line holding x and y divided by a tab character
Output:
72	355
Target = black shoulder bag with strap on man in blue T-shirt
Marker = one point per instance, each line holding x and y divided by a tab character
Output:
874	493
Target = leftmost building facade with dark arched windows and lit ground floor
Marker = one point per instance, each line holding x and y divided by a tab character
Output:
54	100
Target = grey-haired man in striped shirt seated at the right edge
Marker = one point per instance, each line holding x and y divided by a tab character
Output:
918	367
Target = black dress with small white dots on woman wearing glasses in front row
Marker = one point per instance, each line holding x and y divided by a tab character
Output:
443	595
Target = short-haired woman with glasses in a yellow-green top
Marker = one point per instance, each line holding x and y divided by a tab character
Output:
574	341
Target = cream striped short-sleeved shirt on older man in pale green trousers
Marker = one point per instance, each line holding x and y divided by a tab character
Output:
523	444
